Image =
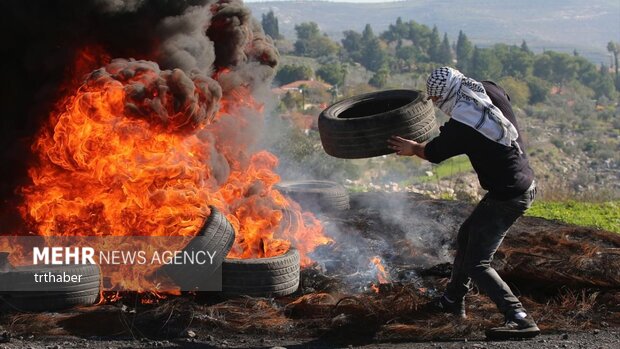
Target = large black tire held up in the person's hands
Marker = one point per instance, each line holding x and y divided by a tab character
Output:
359	127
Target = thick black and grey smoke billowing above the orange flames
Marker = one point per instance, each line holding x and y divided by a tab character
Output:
42	39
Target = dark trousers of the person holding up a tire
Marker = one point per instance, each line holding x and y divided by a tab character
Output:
478	239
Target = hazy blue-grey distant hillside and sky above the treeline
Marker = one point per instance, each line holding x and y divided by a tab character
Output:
561	25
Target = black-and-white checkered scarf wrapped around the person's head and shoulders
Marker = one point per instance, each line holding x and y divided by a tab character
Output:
465	100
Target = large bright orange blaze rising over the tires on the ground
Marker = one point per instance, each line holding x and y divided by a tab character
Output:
140	151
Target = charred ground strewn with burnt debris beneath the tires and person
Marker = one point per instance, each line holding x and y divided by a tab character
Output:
568	278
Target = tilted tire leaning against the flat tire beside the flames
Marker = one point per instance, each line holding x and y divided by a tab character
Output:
217	234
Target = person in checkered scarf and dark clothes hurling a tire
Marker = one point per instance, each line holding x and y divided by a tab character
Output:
482	125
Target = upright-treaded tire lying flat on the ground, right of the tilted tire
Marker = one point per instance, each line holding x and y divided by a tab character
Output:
262	277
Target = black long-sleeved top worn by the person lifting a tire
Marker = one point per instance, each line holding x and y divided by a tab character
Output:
501	170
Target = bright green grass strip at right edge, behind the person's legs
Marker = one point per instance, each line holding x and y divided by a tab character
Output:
605	215
